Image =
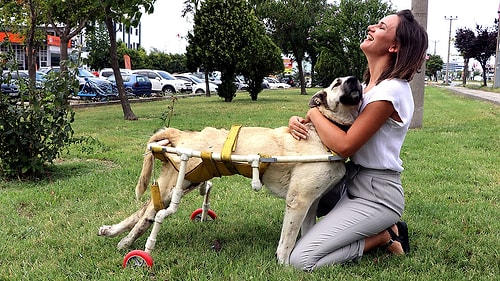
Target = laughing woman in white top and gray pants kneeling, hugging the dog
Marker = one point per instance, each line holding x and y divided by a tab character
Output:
366	215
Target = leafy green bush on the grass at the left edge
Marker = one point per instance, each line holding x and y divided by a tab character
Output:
35	127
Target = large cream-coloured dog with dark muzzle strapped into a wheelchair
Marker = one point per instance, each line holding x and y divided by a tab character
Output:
301	184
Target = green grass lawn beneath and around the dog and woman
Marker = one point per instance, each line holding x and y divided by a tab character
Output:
48	229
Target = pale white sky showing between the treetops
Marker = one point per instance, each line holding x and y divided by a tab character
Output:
166	30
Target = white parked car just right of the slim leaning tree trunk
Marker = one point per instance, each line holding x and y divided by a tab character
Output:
163	81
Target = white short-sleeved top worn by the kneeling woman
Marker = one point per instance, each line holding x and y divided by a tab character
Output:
383	149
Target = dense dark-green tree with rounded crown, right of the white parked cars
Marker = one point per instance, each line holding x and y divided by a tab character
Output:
222	29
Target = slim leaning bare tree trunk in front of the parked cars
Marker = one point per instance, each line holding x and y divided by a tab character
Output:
128	114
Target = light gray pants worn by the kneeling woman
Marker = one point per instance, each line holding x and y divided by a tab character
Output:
373	201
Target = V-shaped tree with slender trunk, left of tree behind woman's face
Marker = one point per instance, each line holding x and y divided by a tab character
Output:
290	23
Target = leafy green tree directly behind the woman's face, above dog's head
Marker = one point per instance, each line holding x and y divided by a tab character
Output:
339	33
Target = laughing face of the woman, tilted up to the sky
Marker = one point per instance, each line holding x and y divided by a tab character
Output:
381	37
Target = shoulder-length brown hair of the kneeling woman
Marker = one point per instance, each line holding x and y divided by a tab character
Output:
412	41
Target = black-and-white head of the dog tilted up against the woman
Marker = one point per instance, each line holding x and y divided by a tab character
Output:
340	101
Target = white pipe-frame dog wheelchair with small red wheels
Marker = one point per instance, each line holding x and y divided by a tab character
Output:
139	258
